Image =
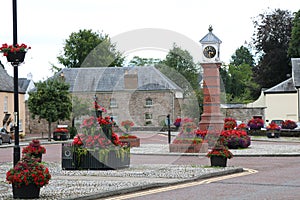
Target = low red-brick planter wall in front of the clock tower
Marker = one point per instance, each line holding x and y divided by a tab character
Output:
189	148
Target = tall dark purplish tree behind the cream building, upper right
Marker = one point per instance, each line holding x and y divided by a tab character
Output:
272	36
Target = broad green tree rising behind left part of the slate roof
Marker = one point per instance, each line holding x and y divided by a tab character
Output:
91	49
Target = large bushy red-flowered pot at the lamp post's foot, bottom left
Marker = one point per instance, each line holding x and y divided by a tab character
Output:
27	177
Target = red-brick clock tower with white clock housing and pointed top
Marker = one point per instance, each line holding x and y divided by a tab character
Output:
211	118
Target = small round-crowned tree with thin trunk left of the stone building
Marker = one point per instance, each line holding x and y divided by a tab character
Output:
50	101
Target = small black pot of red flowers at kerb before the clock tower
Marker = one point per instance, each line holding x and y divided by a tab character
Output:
219	155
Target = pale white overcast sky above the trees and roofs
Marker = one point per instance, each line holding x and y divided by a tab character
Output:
45	24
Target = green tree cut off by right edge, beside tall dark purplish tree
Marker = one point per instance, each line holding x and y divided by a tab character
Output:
294	45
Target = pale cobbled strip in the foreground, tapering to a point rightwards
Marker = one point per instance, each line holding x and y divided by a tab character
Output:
67	184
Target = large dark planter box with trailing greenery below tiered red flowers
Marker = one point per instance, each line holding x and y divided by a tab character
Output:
94	159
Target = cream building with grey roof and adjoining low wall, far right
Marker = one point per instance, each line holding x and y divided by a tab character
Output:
279	102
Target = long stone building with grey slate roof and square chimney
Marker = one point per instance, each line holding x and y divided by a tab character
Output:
141	94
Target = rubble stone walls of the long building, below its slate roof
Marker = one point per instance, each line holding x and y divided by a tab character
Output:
130	105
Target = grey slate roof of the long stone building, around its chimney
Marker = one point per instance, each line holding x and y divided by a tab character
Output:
108	79
